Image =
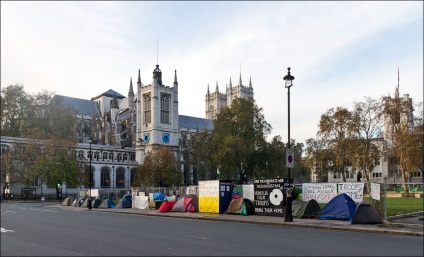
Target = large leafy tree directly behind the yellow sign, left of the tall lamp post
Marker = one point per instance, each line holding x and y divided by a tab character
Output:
239	140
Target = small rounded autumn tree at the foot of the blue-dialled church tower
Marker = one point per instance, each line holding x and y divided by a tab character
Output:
160	168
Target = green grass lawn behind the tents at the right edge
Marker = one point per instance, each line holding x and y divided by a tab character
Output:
395	206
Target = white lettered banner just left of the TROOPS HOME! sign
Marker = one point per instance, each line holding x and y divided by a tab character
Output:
320	192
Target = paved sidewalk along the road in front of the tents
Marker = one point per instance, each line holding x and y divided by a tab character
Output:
408	225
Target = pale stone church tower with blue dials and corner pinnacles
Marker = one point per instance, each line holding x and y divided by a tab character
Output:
157	115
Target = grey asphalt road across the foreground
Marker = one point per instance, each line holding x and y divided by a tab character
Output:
32	229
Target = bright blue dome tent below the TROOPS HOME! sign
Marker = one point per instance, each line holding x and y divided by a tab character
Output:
341	207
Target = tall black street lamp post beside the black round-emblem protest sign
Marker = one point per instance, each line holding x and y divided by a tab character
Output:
288	217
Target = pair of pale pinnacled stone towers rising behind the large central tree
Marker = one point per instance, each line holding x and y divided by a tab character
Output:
216	101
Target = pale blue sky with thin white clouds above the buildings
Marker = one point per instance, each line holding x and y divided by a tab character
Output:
339	51
